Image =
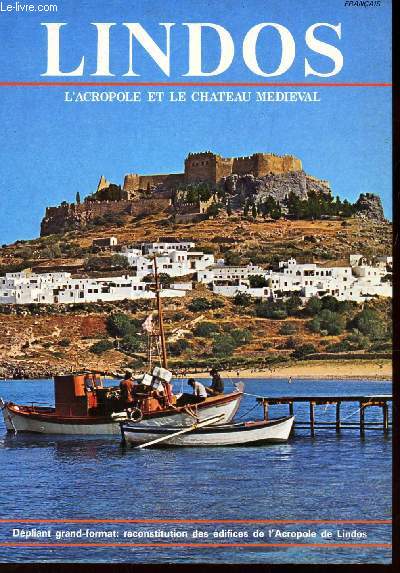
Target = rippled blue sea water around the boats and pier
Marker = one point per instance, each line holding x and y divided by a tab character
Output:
255	491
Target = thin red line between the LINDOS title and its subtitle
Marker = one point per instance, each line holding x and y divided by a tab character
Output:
194	84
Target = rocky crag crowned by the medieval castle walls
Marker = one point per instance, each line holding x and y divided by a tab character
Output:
192	196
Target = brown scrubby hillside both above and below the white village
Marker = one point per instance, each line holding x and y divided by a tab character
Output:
38	341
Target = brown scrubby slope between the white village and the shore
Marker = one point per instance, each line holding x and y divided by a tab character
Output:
40	342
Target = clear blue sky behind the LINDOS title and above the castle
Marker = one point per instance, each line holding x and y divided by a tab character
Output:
51	149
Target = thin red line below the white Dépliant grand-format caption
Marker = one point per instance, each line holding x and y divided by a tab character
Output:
200	545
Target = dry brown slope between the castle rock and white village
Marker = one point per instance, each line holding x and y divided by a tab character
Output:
259	240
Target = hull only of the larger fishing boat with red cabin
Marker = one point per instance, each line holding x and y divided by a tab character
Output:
45	421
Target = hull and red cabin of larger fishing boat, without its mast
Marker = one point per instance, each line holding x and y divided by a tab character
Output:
81	411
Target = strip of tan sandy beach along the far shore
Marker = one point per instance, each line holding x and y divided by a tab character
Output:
321	369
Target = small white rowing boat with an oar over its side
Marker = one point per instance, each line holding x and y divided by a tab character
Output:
206	433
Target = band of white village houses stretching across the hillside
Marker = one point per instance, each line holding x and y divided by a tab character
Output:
358	281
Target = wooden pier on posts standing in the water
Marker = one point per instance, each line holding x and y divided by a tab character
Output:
361	404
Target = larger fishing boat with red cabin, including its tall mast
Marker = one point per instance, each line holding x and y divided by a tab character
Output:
84	405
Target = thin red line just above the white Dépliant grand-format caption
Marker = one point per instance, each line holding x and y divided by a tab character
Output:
276	521
